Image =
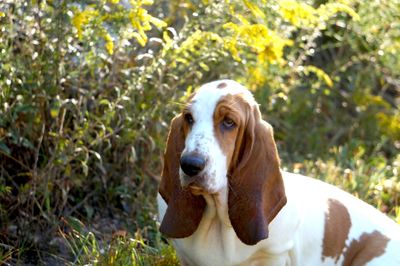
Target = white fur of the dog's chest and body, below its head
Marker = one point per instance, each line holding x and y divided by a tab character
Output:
295	235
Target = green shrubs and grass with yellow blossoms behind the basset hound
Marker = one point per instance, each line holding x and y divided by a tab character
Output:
87	90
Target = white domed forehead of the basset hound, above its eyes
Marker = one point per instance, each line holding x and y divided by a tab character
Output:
207	96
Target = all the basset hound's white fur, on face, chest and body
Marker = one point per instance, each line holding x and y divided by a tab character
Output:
295	235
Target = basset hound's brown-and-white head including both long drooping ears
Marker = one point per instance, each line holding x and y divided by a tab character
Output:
219	142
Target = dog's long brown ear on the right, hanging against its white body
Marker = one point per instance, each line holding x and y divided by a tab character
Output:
256	191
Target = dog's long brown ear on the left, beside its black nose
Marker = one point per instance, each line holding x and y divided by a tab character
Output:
184	210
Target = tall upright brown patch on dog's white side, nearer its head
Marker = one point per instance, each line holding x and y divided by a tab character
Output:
337	228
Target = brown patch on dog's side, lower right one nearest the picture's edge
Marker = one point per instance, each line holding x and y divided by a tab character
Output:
367	247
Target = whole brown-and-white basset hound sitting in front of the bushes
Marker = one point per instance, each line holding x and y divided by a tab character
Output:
224	200
